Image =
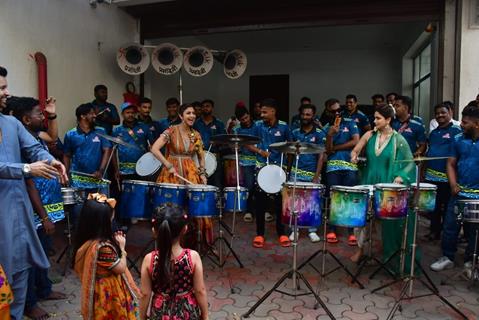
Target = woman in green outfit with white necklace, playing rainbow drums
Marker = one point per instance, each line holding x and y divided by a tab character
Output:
384	150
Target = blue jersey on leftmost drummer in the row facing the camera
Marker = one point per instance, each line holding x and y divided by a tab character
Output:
86	151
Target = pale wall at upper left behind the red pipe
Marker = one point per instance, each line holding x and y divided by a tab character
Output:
68	33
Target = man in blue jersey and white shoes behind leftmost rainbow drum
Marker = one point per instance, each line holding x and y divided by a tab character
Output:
309	165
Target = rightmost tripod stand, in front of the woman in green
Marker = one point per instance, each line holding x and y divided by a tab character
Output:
408	286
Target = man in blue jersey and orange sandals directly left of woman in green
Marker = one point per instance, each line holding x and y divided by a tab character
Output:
341	138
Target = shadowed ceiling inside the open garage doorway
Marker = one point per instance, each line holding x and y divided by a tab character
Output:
394	35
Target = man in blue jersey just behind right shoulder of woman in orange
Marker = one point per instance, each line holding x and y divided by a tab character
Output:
208	126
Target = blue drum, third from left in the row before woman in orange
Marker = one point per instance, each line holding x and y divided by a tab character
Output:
202	201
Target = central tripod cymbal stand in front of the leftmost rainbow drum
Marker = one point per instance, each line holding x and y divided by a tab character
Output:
294	272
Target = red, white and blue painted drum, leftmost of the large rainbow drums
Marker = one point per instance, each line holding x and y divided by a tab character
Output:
307	202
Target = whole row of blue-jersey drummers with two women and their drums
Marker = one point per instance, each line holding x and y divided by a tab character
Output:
365	163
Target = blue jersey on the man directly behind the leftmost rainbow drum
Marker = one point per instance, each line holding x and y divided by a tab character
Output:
307	163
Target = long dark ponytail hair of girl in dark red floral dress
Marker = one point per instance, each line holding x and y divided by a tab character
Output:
168	222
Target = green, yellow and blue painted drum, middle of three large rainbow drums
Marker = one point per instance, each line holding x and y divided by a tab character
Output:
349	206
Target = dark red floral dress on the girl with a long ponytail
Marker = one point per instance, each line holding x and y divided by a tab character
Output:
177	302
